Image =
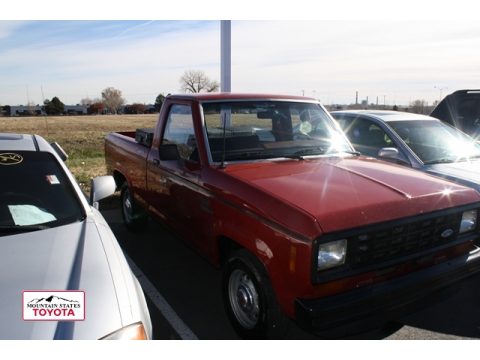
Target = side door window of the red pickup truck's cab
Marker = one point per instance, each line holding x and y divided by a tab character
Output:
179	130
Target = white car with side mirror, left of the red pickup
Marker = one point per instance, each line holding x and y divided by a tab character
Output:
63	273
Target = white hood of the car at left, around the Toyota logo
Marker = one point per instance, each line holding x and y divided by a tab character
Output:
69	257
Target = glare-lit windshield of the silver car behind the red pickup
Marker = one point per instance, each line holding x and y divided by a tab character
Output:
435	142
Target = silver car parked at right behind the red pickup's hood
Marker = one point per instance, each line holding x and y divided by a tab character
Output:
418	141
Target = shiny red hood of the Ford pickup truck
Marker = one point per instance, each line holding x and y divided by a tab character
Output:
342	193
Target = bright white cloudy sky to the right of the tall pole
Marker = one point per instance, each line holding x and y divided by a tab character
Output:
332	60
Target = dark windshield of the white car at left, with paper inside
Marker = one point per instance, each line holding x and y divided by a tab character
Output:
35	194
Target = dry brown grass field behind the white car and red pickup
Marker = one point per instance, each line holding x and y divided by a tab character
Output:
82	137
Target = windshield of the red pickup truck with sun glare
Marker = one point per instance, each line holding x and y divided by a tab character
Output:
251	130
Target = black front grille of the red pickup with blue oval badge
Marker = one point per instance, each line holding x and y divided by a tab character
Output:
397	241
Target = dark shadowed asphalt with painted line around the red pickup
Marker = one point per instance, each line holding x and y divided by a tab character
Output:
184	297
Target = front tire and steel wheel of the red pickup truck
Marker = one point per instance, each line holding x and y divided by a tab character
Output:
249	300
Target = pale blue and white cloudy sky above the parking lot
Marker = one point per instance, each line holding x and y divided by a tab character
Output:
391	62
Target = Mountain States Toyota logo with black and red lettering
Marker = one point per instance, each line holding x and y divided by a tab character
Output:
53	305
